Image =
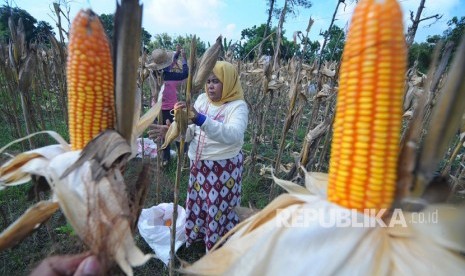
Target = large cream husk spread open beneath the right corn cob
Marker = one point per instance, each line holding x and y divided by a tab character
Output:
264	245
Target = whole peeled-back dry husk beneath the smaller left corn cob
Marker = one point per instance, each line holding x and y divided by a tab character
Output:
90	190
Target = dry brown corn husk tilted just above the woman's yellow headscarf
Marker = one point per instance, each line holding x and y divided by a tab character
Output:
206	64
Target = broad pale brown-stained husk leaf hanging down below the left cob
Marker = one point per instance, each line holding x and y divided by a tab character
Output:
97	210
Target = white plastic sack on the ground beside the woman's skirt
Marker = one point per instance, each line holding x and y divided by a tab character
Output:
152	228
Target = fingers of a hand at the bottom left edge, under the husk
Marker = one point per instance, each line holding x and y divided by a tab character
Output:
77	265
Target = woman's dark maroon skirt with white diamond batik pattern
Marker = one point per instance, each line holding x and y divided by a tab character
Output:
214	190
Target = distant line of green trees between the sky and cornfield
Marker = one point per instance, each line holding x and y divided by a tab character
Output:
255	41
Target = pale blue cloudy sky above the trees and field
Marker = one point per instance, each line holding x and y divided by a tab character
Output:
208	19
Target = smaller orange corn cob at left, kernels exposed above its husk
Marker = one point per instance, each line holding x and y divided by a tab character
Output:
90	80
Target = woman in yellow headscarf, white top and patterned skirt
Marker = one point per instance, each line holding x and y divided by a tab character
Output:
216	137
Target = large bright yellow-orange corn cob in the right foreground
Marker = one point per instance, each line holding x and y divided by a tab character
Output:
362	173
